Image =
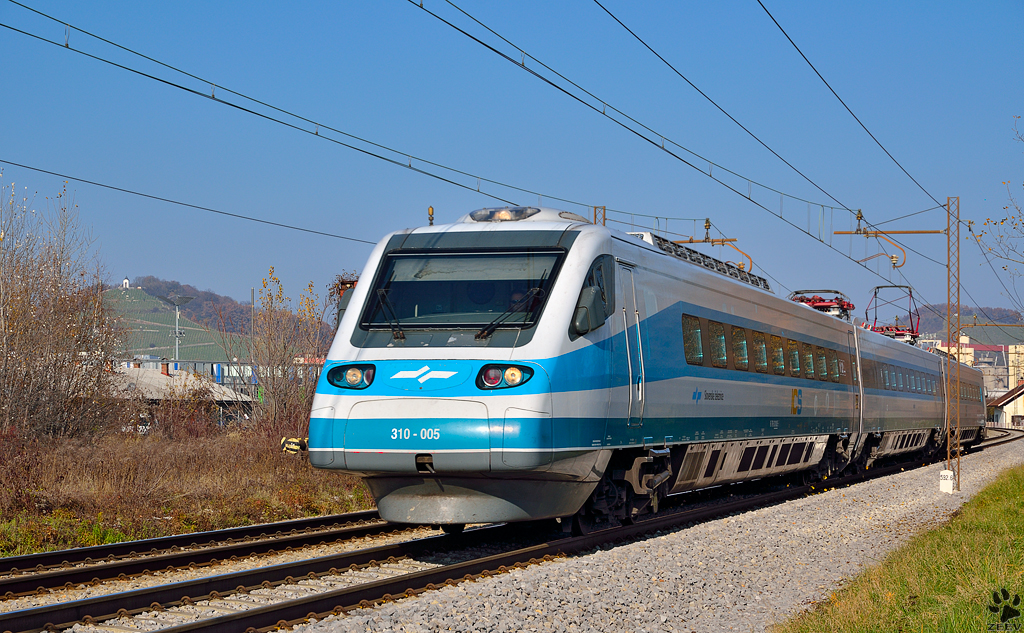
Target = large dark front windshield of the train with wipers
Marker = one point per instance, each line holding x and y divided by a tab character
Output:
461	289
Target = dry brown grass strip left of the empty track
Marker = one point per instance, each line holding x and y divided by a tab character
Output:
58	494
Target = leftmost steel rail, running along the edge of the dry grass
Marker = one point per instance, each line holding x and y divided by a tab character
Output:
83	555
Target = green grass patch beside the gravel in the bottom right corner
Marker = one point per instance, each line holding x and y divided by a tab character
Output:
943	580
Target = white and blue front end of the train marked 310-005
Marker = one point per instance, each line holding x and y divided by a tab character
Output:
446	426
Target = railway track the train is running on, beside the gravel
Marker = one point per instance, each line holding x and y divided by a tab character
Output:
268	598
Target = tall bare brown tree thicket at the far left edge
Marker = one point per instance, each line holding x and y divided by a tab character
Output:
57	336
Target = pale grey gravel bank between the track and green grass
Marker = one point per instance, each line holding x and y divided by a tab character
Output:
739	574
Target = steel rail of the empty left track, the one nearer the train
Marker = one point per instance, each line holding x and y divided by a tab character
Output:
61	578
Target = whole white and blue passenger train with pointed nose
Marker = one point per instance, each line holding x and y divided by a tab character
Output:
525	364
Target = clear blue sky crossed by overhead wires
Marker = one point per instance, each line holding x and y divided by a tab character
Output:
937	83
